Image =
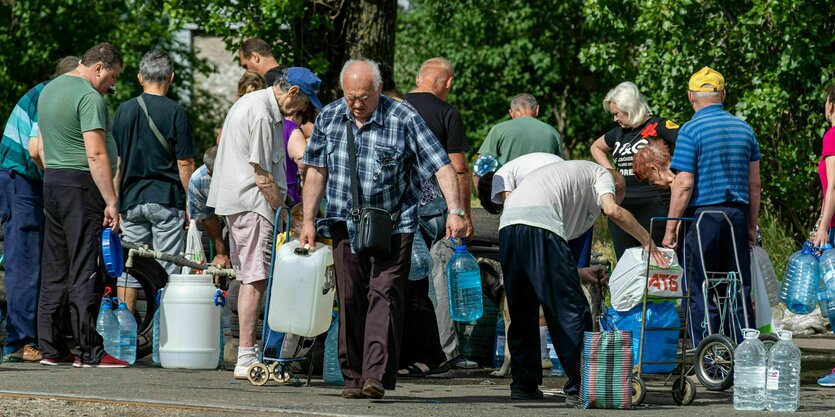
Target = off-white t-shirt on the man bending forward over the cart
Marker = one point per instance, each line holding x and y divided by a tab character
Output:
563	197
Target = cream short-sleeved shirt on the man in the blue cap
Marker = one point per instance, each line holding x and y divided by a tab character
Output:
251	137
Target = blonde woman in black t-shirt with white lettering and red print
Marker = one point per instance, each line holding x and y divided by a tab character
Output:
636	124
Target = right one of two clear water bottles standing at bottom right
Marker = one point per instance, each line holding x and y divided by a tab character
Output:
782	384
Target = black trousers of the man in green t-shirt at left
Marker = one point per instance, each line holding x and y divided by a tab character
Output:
71	274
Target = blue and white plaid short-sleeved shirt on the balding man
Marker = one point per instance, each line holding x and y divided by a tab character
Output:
395	151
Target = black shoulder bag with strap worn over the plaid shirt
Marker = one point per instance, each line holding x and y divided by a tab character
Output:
373	225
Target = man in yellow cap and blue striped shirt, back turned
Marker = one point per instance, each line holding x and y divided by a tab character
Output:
717	165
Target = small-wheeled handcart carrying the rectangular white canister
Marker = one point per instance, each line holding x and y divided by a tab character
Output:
281	351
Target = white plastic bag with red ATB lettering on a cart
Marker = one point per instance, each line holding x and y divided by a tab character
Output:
626	285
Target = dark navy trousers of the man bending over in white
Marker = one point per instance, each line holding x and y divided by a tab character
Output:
539	268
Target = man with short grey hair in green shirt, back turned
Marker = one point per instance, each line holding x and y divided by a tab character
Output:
522	134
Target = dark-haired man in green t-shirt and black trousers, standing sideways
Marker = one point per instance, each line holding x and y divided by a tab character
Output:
80	158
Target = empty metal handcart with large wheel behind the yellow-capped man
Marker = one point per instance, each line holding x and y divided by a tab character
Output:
722	289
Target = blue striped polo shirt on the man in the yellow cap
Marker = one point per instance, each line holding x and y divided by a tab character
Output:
717	148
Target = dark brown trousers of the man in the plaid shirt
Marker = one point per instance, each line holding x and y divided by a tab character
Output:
370	293
